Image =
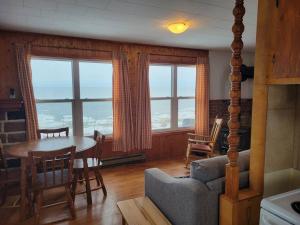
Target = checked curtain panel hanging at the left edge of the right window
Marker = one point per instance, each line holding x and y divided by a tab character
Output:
143	117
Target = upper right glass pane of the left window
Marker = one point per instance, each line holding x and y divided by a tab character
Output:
95	79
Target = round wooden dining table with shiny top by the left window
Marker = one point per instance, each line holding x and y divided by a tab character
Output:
49	144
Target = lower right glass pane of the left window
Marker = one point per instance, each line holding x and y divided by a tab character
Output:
97	115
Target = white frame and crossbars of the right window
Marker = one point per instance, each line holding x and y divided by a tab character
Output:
174	98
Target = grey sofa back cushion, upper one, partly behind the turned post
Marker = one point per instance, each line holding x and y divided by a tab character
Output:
206	170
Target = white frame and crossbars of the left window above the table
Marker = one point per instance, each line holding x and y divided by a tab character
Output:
76	101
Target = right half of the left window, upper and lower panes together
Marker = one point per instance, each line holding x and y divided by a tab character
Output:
96	96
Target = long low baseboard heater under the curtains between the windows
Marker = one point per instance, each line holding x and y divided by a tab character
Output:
119	160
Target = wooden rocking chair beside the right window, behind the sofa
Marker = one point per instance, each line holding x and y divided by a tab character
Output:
203	144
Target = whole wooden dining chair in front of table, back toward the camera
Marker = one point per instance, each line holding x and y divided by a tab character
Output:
50	170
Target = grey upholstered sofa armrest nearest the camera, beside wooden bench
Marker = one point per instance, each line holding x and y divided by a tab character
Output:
184	201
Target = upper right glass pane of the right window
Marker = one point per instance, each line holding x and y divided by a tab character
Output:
186	80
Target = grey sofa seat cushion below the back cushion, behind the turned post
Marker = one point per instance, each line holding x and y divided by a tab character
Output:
218	185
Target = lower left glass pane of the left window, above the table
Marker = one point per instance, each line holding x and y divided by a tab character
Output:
55	115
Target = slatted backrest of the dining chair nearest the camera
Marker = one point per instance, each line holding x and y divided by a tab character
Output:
54	167
